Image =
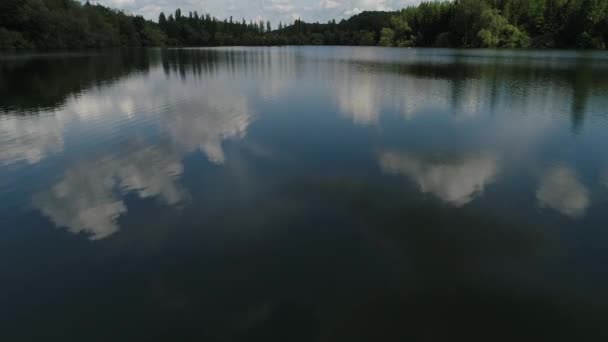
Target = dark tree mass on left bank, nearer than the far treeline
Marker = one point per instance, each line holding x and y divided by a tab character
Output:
61	24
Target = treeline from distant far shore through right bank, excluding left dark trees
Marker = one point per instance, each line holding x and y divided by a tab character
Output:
459	23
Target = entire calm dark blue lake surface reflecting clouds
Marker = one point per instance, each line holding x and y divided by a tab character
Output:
304	194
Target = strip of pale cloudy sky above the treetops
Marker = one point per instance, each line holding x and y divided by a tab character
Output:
273	10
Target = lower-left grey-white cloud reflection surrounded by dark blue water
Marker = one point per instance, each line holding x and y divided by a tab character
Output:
88	198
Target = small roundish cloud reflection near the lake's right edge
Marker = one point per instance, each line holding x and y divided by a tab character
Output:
560	190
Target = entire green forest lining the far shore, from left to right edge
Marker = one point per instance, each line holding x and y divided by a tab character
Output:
70	24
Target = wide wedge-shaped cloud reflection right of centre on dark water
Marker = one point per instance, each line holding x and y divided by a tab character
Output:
457	182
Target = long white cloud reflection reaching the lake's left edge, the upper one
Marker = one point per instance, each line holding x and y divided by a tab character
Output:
200	119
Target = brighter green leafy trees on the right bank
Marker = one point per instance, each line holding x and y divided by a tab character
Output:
501	23
